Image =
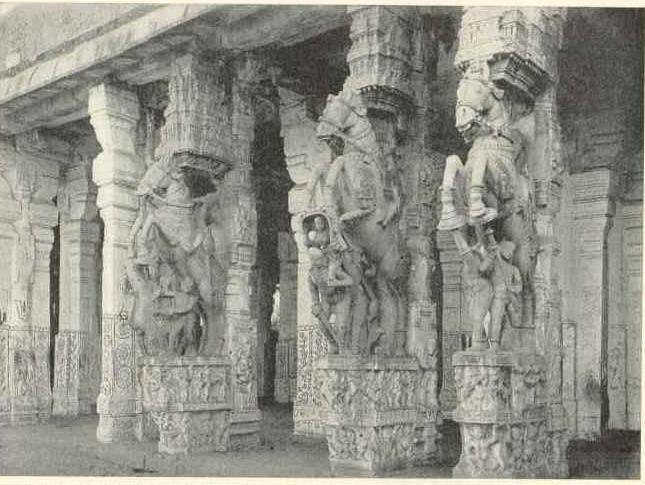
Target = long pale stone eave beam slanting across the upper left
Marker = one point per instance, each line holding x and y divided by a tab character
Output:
54	91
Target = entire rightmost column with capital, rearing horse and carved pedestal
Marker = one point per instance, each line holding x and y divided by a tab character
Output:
510	54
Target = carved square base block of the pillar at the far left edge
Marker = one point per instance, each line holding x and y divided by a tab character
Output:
25	396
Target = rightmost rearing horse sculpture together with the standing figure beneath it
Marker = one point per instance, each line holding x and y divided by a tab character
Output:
486	204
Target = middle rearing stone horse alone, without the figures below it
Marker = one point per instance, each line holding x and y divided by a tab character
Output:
354	191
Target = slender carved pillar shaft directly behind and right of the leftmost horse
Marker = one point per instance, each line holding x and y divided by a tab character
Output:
238	201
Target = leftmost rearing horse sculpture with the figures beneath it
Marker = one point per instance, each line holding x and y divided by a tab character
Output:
172	269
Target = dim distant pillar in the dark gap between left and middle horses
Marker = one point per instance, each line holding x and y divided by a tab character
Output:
286	349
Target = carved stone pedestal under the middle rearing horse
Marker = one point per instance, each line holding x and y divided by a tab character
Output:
370	420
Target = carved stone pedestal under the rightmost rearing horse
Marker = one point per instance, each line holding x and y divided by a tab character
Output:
502	415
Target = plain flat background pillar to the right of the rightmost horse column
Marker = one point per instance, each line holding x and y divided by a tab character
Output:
593	211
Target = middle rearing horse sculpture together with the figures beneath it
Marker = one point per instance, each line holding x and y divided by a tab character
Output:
361	269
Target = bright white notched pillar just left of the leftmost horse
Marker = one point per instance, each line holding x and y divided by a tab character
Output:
114	112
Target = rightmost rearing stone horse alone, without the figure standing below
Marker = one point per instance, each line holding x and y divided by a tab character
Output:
490	193
